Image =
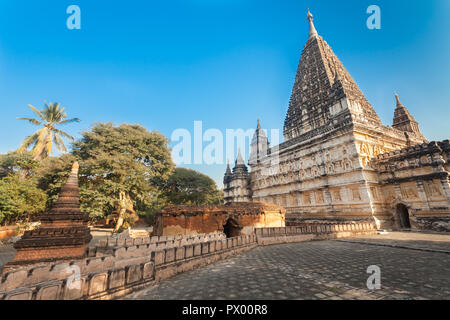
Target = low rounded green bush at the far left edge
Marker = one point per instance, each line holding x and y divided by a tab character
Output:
19	199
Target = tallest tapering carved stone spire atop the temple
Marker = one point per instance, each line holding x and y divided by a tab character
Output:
322	90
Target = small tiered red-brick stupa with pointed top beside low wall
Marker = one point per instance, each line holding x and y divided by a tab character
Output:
63	234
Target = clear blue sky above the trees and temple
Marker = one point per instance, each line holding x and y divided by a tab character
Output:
166	64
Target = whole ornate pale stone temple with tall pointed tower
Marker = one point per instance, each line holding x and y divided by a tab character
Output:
339	162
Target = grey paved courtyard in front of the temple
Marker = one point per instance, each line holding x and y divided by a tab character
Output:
334	270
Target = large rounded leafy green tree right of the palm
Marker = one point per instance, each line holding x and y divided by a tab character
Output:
121	169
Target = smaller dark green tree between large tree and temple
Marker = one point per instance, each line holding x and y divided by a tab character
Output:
186	186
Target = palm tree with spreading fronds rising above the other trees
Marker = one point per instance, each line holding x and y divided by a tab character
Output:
43	139
